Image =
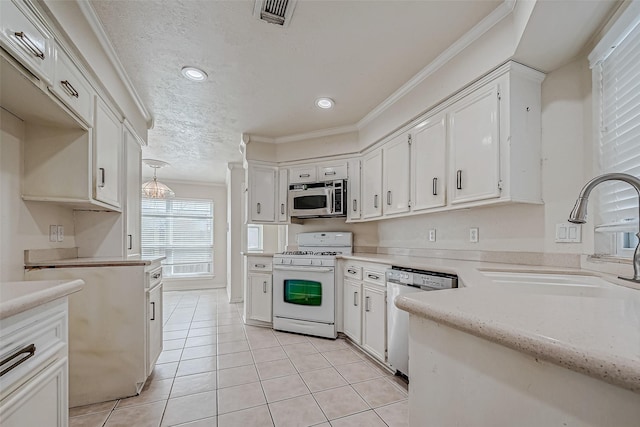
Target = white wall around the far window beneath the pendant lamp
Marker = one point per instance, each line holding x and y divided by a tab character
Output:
218	193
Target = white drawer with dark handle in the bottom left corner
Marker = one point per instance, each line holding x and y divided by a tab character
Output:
37	338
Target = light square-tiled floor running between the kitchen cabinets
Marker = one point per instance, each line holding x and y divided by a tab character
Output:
215	371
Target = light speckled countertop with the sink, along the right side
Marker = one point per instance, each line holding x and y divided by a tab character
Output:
592	330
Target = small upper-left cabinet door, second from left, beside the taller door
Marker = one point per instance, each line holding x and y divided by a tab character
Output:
70	87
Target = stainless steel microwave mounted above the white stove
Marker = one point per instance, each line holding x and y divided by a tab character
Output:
318	199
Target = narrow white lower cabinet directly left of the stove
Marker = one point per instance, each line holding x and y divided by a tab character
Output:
258	291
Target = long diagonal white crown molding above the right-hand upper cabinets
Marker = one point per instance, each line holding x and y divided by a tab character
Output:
497	15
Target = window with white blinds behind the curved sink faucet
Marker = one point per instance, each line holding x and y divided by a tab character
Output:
617	80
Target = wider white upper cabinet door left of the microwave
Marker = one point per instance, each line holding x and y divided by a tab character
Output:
262	194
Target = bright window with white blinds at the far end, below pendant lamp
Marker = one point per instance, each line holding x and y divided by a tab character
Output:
182	231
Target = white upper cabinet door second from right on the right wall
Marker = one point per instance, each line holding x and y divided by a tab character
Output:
428	164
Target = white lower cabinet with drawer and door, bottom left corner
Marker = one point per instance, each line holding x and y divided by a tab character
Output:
34	392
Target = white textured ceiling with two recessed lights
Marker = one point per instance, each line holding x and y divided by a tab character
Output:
263	78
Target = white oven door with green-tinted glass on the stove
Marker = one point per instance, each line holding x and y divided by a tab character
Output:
304	293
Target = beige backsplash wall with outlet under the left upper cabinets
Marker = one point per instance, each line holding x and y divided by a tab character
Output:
24	225
